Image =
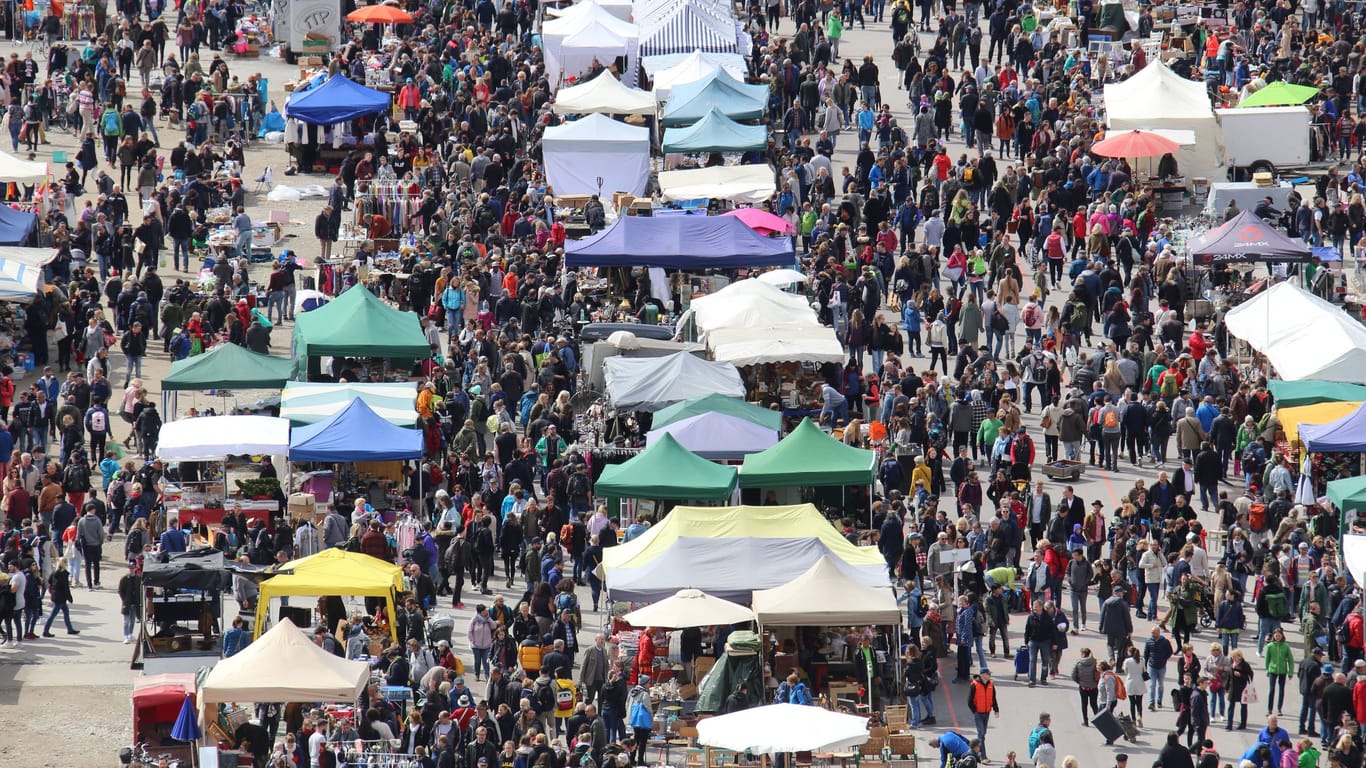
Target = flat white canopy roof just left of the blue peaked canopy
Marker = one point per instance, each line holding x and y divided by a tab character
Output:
212	438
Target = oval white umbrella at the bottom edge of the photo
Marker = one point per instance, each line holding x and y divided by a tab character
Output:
783	728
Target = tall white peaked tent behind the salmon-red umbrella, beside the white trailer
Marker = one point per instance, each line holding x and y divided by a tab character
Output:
1159	99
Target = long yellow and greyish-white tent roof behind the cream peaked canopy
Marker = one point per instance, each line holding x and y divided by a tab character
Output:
729	553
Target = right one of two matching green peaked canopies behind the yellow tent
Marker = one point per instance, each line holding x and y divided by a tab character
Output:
808	458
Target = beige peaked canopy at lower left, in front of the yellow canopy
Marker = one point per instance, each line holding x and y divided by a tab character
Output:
283	665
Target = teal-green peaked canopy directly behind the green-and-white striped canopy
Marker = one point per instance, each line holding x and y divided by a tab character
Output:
357	325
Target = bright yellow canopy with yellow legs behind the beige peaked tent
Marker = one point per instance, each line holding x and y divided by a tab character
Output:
334	572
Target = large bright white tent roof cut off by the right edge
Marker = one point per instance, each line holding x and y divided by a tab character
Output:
1302	335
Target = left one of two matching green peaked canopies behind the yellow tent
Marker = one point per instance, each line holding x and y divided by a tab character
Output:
667	471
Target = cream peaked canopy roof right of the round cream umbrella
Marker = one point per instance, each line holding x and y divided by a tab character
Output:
826	596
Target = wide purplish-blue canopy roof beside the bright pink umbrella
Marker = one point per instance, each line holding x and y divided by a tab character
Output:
680	243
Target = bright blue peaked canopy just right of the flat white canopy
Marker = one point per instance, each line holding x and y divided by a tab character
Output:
357	434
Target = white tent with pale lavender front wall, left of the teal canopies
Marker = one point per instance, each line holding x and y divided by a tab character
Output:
580	154
